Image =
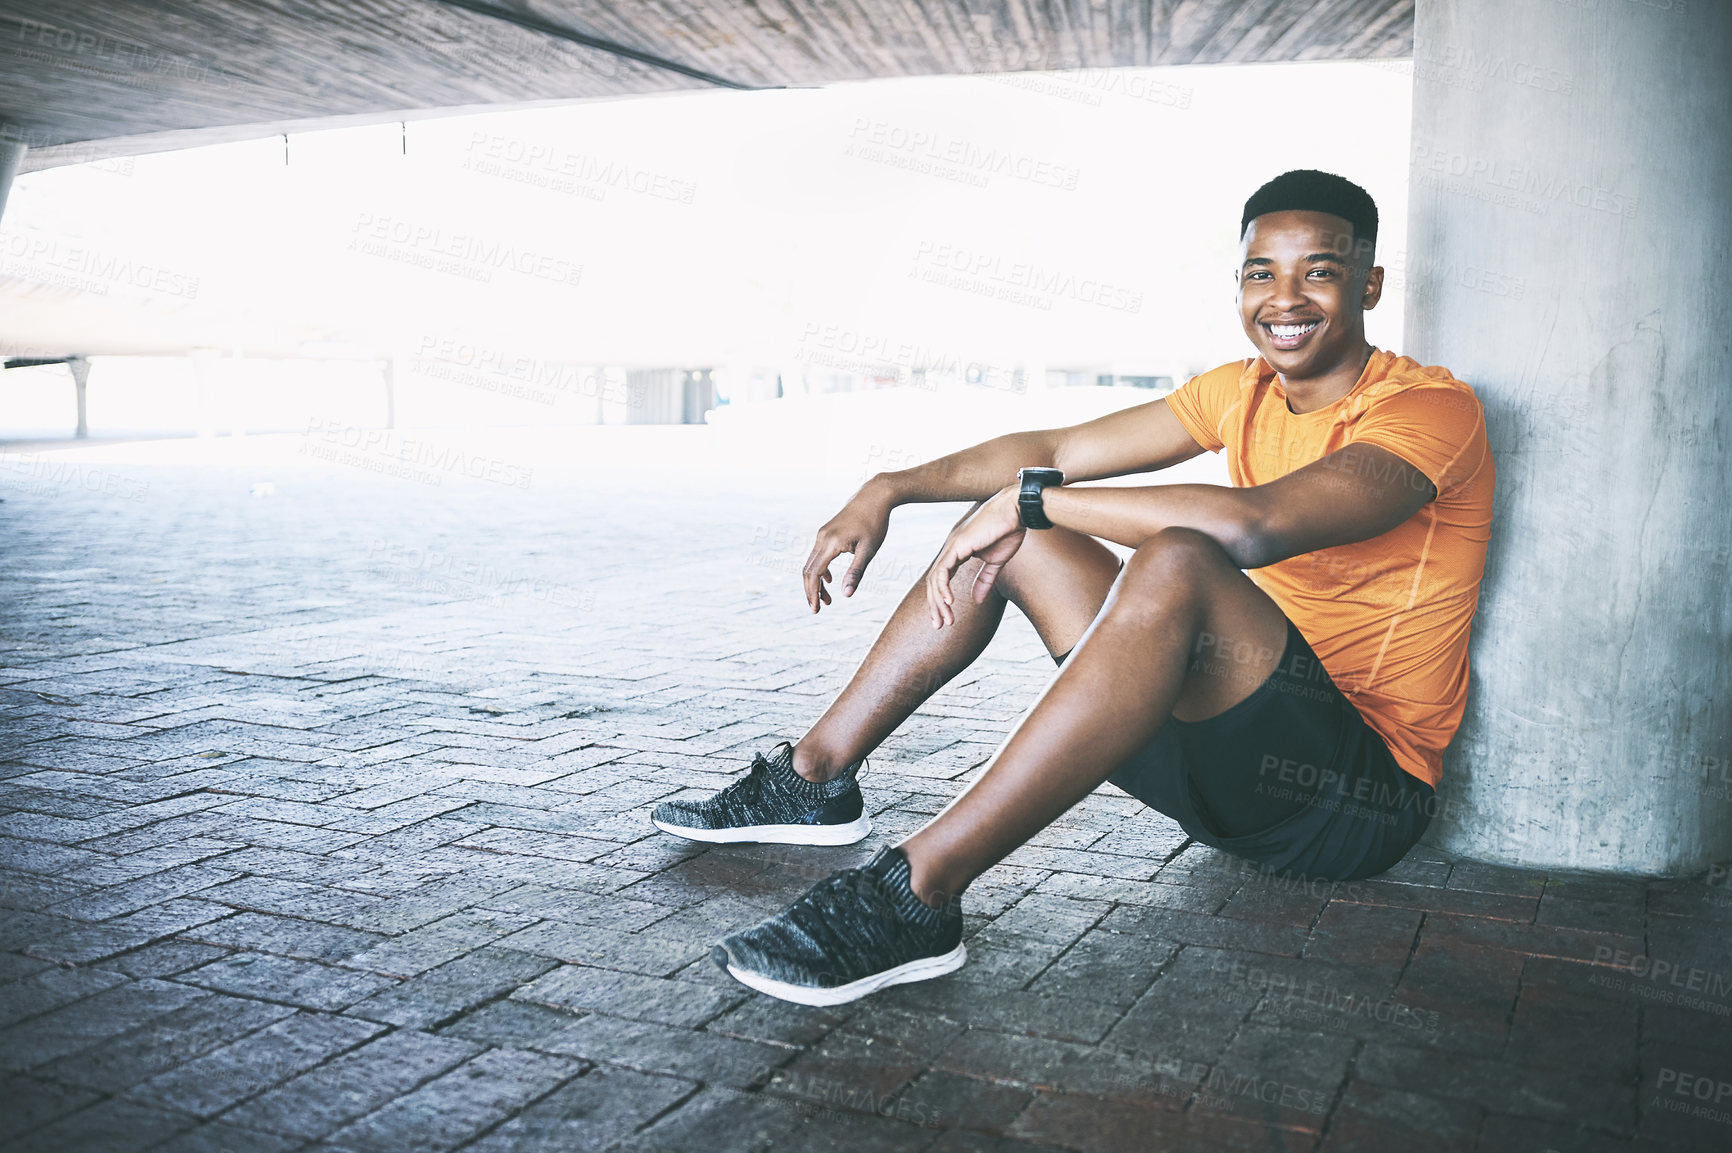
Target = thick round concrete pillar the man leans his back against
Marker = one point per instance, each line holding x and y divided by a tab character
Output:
1568	240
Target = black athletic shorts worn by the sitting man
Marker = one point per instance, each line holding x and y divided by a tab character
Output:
1289	778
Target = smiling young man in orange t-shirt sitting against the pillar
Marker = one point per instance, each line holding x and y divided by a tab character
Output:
1277	667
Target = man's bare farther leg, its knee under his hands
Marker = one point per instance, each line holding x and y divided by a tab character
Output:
1059	579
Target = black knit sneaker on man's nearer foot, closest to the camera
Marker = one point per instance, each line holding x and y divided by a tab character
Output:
850	936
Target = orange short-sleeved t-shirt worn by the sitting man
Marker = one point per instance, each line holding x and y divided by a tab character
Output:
1390	615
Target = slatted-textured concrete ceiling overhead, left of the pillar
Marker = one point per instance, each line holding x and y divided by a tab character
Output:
84	79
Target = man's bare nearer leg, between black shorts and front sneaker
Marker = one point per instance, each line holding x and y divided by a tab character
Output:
1132	671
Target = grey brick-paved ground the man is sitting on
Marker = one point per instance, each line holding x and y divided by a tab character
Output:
323	825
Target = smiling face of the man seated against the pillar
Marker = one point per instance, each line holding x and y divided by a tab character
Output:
1303	292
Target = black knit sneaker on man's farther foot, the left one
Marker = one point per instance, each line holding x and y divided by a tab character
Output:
773	804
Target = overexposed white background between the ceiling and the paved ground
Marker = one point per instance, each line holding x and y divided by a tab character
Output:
742	231
